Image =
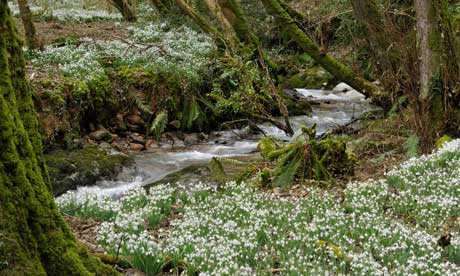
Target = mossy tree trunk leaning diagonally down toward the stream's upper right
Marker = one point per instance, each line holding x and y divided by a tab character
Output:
337	69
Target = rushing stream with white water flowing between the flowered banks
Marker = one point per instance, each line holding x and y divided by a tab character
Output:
334	109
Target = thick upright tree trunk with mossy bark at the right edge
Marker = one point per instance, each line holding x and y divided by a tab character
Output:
438	98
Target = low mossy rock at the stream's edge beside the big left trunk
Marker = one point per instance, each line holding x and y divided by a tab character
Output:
82	167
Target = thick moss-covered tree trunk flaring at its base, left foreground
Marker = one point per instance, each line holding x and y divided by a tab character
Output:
34	240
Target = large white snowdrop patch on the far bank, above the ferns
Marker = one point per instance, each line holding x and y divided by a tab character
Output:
181	52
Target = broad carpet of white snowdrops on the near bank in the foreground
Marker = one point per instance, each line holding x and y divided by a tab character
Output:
405	224
